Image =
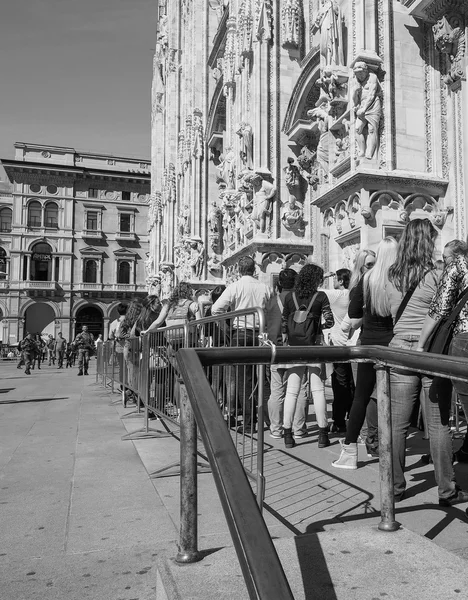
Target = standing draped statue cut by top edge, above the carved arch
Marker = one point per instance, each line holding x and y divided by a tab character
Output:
330	23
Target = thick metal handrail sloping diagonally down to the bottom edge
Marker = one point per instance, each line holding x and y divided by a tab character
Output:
260	564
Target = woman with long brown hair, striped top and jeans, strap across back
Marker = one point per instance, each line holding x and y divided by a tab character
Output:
413	282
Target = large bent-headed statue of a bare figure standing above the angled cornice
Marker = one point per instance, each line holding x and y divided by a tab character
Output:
367	105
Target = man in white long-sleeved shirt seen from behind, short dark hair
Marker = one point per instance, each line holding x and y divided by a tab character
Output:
245	293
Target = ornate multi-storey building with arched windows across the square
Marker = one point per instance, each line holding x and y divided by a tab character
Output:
73	239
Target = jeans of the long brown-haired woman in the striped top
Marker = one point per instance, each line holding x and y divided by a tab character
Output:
406	387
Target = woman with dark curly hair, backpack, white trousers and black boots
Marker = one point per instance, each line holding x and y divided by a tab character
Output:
306	287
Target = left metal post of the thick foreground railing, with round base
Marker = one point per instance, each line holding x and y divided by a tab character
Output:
188	536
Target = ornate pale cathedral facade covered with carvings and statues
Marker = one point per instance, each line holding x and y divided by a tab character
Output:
290	129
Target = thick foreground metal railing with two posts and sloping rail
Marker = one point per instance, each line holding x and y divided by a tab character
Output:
257	555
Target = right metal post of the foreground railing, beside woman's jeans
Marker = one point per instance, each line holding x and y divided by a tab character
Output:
387	501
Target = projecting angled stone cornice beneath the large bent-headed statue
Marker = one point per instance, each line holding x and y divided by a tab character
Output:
381	180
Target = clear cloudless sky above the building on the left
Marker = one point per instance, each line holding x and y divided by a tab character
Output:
77	73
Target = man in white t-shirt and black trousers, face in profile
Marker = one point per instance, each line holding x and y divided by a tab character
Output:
342	376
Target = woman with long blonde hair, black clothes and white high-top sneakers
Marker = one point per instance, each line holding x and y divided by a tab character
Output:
369	304
